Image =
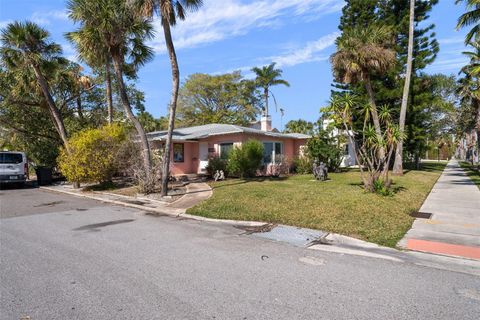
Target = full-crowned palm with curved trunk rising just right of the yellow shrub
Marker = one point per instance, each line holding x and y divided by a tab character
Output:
109	24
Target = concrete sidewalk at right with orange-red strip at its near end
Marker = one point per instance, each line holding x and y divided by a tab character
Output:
454	225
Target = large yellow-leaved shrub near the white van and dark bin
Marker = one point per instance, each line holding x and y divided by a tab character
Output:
93	154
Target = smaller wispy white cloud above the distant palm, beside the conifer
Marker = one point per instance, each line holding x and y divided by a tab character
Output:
308	53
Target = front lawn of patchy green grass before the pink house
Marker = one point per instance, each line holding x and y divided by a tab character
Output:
339	205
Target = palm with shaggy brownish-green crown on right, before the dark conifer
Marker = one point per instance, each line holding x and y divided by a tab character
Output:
362	52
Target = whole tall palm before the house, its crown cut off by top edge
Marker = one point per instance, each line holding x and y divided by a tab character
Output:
168	11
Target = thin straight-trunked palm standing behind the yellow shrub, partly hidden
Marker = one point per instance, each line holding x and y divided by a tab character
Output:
96	57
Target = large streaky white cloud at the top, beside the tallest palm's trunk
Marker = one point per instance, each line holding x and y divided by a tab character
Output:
222	19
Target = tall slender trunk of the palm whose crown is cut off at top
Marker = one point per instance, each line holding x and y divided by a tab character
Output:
173	104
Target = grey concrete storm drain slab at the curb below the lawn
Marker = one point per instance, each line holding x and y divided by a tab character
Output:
300	237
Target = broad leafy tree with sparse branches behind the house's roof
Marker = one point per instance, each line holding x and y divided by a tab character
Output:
225	98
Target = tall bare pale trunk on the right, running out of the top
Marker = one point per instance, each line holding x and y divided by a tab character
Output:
398	165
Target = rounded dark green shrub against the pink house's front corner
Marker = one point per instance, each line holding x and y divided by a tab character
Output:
244	161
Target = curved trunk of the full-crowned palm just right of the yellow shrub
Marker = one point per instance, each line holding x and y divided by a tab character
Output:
147	161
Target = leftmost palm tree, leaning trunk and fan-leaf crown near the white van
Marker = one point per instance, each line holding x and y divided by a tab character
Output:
25	46
